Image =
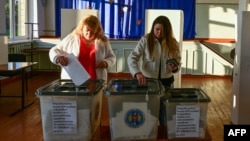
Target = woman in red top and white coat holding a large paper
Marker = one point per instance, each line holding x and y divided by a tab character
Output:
90	45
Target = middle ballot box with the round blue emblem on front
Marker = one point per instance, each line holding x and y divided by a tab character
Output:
133	109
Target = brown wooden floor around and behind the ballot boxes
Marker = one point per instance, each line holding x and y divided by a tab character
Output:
26	125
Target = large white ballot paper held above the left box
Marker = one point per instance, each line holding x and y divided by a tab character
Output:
76	71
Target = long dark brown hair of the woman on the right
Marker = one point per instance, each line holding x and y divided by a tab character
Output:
169	43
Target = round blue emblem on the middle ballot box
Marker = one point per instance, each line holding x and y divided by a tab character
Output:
134	118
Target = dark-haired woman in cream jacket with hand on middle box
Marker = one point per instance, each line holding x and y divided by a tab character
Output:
156	56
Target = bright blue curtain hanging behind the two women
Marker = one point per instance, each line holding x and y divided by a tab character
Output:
125	19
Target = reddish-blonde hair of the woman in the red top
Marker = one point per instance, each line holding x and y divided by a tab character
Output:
94	24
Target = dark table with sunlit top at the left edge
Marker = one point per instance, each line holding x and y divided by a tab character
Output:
13	69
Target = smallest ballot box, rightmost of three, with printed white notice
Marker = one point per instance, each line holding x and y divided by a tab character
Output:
186	112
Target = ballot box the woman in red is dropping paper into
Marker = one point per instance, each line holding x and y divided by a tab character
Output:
70	112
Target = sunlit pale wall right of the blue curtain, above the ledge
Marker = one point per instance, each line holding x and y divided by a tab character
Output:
216	20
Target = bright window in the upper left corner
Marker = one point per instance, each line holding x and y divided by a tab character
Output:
16	15
